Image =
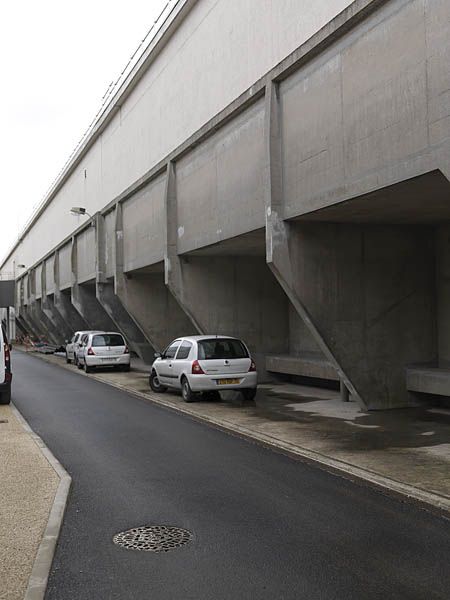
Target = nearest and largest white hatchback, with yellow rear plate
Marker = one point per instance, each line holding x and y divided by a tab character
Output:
199	364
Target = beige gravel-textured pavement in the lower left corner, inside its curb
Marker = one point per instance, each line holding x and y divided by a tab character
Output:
28	484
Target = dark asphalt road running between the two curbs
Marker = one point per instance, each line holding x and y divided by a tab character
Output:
264	525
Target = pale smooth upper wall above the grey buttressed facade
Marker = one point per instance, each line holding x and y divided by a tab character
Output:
210	56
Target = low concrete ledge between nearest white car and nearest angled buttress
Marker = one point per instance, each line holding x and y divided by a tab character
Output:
305	365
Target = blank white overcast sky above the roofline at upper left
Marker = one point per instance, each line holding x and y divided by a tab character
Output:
57	59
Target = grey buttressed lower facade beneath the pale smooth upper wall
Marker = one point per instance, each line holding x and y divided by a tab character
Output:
309	217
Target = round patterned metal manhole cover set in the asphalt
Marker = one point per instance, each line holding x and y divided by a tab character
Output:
155	538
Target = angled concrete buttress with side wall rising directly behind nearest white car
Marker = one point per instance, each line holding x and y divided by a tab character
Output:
233	293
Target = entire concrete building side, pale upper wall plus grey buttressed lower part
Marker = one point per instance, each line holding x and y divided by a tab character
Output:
303	206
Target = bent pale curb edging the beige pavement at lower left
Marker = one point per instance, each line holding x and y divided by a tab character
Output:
37	584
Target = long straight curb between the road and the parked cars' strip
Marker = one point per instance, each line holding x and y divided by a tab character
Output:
438	505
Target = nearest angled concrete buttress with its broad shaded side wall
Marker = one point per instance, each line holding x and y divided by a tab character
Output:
366	290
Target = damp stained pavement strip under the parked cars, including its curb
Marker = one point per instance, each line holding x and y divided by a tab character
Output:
405	452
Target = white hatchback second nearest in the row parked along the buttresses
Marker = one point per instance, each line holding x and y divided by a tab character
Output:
103	349
